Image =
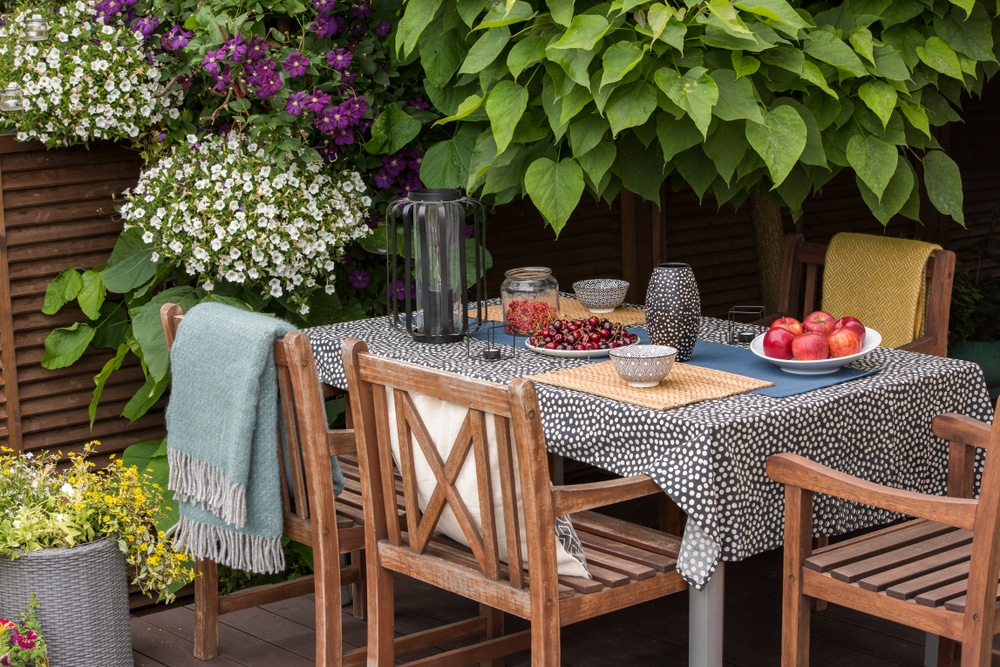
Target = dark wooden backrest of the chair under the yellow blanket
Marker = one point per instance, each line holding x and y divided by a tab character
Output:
802	282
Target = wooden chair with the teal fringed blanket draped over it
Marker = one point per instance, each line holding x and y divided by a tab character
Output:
304	419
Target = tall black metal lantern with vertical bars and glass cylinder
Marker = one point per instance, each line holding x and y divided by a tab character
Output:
437	228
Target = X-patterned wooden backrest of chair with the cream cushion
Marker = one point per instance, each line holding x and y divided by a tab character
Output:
491	464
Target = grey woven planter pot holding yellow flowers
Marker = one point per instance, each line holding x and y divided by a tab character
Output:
82	593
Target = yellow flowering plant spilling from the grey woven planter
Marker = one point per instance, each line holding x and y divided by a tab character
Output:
44	505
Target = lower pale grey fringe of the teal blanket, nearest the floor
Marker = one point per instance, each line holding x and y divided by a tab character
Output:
253	553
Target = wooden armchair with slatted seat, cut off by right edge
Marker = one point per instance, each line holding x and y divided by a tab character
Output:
937	572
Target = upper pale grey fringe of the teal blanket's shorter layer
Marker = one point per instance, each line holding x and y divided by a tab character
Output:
196	482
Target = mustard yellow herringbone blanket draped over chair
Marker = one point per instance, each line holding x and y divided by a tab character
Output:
879	280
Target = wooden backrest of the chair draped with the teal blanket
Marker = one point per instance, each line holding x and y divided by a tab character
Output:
303	416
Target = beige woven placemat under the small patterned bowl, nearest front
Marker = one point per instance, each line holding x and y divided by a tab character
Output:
684	385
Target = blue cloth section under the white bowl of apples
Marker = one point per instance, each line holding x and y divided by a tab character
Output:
742	361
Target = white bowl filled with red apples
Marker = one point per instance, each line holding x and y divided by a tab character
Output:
817	345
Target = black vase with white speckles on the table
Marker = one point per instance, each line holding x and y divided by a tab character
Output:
673	308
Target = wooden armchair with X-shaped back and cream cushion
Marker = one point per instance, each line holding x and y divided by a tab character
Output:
501	432
